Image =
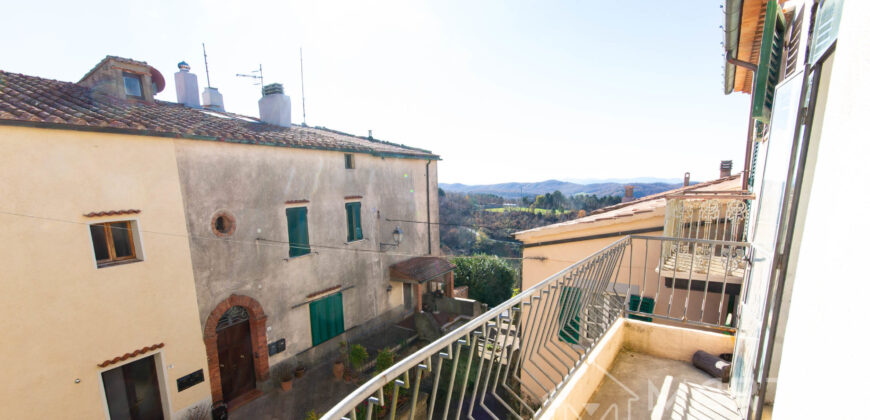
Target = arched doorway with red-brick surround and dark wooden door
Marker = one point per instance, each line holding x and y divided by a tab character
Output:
235	340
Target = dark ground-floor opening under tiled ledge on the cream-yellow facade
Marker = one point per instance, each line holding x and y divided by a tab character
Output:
133	391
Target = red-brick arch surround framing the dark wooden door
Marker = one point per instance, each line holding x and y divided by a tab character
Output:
257	318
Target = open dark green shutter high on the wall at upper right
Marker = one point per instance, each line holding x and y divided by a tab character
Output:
769	62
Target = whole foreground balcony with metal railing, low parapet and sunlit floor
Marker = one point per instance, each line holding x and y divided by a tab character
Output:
615	331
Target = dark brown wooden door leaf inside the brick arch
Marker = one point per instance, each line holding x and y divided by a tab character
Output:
236	360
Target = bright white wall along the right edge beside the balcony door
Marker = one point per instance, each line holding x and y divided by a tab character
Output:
822	373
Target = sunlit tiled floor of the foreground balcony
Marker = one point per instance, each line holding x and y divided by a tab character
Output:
640	386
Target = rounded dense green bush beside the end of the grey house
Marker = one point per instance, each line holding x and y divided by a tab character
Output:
490	279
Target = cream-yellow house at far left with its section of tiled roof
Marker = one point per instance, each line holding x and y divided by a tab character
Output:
97	280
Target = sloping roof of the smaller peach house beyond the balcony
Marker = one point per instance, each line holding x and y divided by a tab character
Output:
644	205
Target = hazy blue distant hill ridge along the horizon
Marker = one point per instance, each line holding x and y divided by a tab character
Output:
519	189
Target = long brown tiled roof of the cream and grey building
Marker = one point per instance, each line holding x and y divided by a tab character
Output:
34	101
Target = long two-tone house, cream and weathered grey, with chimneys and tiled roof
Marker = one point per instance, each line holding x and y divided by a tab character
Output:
279	236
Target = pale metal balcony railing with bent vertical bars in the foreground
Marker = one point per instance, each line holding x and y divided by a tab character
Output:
517	358
